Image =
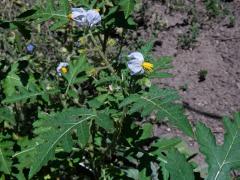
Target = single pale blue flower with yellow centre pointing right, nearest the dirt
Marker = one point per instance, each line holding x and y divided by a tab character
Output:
137	65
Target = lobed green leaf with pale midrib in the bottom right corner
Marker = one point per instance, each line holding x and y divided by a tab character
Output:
221	159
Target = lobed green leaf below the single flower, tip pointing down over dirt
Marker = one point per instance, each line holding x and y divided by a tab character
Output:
160	101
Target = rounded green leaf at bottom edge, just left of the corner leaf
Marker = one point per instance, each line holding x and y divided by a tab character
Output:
178	167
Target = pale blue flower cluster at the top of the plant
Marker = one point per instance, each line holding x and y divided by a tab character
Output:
85	18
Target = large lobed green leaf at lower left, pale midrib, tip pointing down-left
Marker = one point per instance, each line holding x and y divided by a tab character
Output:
56	129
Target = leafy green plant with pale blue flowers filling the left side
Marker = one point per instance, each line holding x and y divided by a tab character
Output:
82	110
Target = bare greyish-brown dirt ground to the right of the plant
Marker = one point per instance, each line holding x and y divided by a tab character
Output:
217	51
